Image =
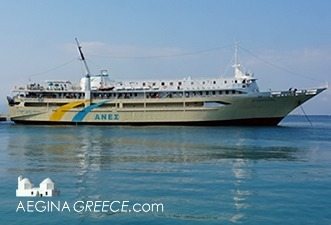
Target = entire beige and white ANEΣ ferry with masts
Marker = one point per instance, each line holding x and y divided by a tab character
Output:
99	100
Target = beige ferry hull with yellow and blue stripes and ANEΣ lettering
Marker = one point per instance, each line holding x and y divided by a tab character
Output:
262	108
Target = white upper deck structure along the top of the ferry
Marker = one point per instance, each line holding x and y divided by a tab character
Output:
103	83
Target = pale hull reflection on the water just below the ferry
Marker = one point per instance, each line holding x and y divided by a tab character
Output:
95	148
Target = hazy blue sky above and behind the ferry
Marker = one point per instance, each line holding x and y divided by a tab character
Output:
285	43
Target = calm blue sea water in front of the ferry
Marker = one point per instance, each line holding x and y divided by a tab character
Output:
202	175
